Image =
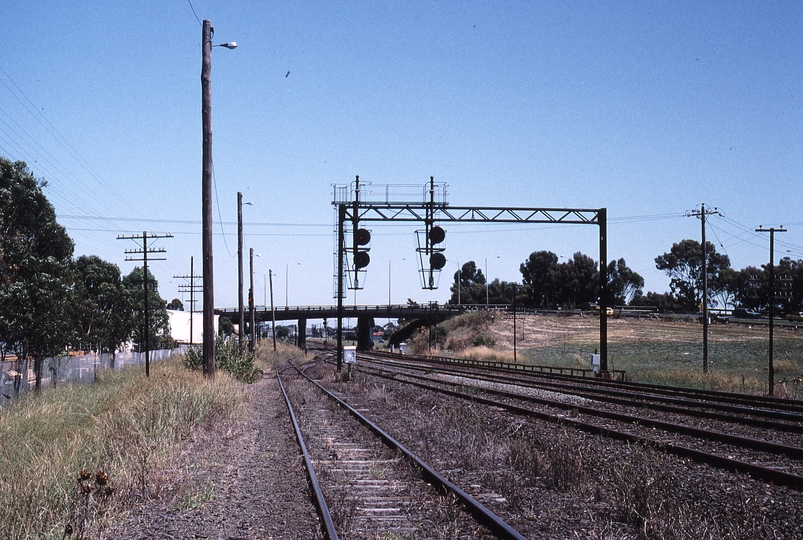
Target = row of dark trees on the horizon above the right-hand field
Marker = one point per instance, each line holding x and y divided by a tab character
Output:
548	283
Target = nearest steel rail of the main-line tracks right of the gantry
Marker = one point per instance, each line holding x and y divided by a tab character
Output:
769	474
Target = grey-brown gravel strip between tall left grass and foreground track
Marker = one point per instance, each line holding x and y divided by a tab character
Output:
241	480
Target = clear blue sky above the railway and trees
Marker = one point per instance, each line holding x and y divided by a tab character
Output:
645	108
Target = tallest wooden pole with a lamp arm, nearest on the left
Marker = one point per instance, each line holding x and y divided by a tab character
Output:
206	197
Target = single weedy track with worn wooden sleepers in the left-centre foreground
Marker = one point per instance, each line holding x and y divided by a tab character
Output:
365	482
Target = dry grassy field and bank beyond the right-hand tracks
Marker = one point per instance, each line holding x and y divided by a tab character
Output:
650	350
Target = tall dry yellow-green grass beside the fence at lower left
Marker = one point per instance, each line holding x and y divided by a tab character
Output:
124	428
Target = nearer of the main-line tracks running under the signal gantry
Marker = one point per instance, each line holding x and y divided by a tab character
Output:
766	449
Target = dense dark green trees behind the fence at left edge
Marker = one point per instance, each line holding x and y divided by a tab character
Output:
50	302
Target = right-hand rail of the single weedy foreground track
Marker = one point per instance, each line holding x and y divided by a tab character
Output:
483	515
